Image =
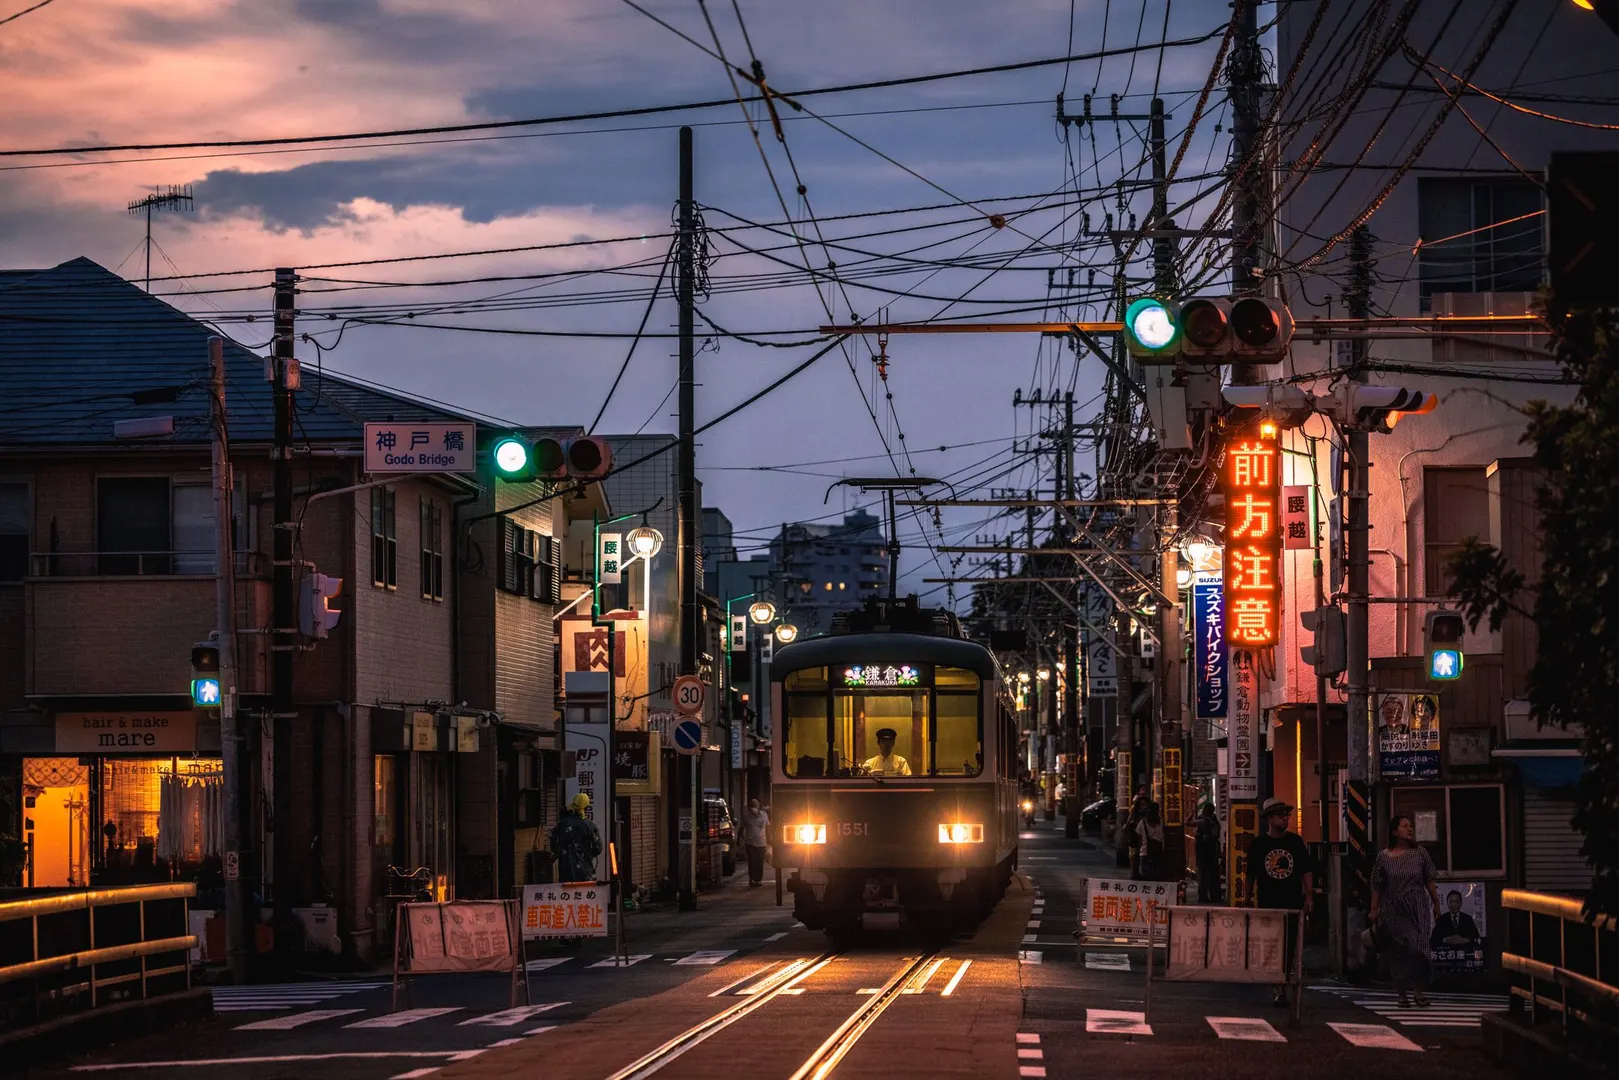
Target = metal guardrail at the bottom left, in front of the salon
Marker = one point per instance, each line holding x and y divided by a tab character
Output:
85	948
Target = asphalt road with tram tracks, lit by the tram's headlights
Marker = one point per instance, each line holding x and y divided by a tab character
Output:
1022	1001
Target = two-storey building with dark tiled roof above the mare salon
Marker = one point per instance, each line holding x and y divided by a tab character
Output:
425	723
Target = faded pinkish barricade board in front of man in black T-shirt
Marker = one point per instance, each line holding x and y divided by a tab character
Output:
1231	945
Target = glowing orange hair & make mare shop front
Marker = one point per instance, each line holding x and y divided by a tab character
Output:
121	797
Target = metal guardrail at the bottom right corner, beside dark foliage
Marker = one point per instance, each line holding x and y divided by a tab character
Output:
1563	966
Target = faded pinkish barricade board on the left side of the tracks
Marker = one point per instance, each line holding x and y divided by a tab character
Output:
456	937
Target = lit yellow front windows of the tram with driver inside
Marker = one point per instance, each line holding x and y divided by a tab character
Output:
911	733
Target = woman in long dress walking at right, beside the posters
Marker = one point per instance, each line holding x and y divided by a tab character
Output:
1403	898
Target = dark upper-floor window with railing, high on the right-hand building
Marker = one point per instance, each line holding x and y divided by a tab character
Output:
1479	237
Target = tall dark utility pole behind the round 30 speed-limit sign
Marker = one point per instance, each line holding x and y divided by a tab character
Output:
689	487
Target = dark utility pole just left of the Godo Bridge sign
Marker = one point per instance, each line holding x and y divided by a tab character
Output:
284	642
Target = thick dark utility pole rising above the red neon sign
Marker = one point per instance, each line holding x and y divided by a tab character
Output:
1252	211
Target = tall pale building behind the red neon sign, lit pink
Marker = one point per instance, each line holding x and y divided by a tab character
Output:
1458	232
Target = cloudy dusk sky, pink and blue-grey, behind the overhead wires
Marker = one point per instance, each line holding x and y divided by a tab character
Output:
127	72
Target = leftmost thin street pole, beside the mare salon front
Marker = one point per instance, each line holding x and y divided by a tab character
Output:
237	891
